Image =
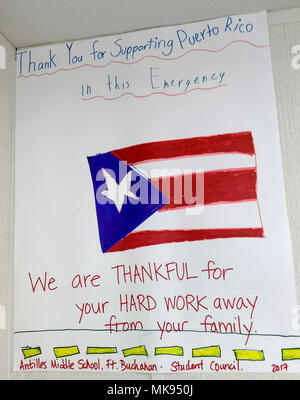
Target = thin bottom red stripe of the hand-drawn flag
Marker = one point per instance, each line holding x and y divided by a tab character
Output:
149	238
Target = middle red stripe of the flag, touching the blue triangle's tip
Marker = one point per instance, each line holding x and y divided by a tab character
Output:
222	186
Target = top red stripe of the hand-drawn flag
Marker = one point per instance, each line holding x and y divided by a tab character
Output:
240	142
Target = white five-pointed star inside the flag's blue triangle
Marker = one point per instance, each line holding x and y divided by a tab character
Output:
117	191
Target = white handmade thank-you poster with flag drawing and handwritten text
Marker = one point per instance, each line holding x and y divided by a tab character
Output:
200	277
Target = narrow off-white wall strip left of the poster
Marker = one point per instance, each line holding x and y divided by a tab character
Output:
7	92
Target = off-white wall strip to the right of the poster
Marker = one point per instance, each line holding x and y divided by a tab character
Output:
287	85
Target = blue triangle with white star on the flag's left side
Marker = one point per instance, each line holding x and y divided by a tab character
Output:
124	198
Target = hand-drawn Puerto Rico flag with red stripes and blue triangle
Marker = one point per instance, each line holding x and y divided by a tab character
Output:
229	203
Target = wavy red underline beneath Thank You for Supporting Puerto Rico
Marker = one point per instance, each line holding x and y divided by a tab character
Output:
142	58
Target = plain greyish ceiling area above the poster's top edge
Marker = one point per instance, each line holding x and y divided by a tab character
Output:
60	21
